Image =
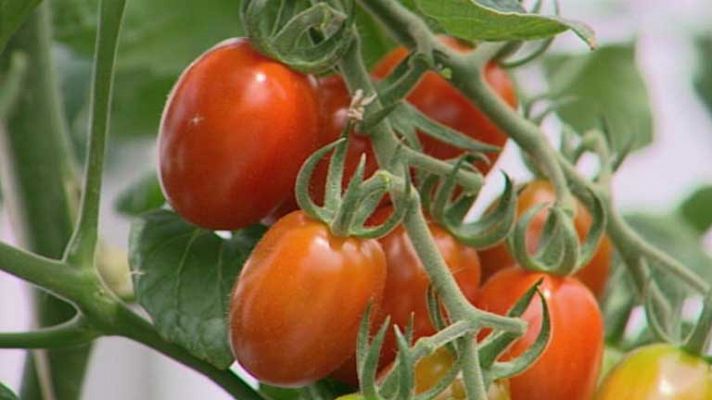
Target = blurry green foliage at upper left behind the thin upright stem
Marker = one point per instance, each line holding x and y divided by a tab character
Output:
159	39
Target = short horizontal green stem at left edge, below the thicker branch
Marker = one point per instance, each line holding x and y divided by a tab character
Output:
71	333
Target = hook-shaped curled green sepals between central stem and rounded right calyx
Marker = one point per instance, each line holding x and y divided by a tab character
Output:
492	228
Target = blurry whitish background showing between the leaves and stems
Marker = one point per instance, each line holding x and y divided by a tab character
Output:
654	179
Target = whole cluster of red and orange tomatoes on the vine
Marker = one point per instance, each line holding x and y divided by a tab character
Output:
235	131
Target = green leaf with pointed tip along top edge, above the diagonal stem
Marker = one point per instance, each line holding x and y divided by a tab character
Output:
498	20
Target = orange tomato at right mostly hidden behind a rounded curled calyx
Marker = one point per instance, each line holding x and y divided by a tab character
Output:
594	274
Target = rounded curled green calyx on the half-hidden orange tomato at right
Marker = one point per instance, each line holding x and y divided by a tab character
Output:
558	247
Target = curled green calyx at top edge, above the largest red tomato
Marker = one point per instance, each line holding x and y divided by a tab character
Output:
290	37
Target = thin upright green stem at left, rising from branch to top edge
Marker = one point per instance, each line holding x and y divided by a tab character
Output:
82	247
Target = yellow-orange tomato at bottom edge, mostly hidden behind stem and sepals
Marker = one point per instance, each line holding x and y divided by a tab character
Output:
431	369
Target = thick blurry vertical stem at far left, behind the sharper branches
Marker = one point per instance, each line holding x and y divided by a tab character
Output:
38	185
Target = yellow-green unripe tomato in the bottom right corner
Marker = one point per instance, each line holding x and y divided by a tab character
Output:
658	372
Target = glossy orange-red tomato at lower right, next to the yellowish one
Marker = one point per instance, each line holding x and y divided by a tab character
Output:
569	365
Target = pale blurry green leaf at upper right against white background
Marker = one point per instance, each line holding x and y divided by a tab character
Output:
606	85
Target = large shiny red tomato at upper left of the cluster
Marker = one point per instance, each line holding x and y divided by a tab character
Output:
234	121
